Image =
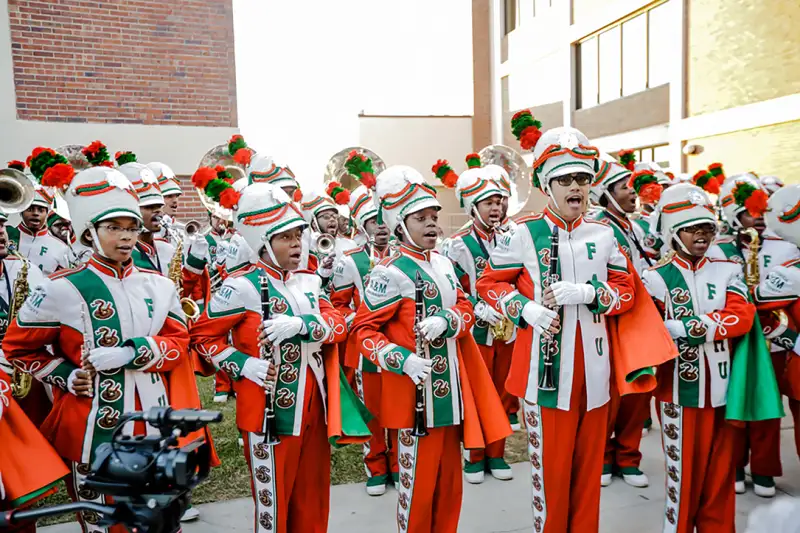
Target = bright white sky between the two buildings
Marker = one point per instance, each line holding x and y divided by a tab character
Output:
306	69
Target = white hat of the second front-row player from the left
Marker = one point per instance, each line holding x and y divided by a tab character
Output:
264	210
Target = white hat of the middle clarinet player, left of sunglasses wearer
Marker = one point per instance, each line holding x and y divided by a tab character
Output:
401	191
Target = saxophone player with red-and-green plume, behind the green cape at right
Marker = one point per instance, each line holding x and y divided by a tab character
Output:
744	202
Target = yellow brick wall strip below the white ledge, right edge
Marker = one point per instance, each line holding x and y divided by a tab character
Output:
768	151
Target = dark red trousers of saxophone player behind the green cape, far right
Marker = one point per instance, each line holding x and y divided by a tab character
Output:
759	443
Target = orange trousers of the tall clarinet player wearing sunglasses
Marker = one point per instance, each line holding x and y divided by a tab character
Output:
566	461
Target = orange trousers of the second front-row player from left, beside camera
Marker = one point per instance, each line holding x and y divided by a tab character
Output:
291	480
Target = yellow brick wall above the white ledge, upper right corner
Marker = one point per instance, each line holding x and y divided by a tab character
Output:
741	51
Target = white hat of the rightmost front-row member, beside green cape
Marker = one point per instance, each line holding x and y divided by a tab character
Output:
680	206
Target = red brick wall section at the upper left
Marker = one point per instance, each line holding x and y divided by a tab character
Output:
129	62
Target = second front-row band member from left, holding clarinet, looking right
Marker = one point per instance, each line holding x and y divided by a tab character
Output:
291	479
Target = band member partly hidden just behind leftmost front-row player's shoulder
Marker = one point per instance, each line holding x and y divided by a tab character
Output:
151	252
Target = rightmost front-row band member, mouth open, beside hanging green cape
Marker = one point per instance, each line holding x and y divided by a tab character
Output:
706	305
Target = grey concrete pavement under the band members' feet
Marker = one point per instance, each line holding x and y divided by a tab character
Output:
501	507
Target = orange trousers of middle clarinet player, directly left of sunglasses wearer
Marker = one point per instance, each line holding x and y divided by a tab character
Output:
430	489
